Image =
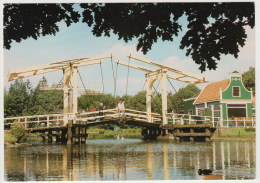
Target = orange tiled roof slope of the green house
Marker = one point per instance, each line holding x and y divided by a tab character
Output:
211	91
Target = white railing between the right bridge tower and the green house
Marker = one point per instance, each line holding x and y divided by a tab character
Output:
174	118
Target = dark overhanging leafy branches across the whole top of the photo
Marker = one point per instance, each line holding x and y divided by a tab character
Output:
213	28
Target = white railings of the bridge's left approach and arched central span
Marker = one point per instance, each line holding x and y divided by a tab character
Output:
56	121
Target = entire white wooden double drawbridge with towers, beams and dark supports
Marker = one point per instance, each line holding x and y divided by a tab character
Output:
71	126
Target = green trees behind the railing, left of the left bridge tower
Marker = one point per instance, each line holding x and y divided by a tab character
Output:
21	99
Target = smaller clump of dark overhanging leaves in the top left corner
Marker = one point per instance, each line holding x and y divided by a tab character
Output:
22	21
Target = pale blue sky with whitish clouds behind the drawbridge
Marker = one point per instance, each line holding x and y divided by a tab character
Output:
77	41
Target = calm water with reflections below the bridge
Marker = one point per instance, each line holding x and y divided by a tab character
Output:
131	159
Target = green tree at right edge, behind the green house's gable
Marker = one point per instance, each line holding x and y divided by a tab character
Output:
249	79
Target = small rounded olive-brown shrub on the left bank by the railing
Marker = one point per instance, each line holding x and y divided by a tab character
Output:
19	132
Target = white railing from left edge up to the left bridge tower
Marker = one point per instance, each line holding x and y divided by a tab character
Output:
37	121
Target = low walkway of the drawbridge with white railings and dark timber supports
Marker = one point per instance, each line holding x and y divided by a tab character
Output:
55	124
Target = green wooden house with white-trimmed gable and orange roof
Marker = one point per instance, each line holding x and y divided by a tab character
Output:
227	99
